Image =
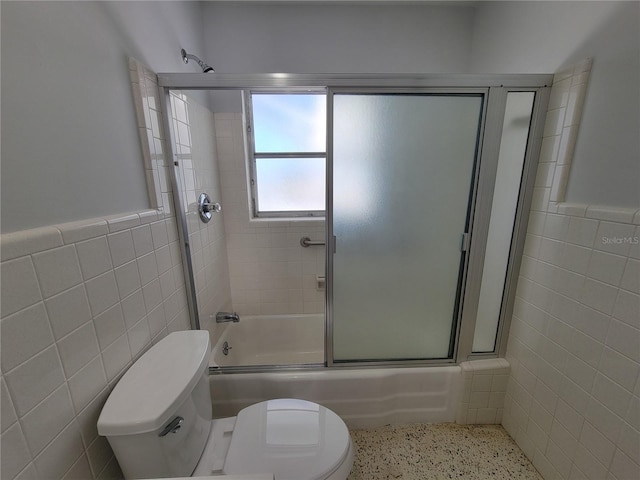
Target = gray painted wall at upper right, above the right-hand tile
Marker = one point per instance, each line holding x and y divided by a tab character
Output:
534	37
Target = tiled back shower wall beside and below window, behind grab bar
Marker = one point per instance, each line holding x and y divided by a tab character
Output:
270	272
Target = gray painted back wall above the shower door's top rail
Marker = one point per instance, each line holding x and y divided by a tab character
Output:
330	38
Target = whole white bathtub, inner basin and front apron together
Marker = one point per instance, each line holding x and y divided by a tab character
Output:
365	397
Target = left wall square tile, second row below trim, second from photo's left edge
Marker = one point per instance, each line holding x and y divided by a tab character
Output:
68	310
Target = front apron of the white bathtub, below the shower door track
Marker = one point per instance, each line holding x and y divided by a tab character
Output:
364	398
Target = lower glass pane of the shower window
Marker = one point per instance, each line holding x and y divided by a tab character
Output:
290	184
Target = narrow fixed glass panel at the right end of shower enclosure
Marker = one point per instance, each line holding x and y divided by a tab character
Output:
515	132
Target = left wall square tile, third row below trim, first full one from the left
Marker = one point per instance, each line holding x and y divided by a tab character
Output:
31	382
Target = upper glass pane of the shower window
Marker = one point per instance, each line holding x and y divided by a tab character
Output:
289	123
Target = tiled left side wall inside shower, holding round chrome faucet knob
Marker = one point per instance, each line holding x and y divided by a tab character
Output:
194	134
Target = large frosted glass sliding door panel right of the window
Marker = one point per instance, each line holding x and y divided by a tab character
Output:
402	173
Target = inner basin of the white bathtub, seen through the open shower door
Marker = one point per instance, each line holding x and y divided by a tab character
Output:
271	340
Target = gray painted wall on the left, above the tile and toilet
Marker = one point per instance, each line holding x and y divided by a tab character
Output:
70	147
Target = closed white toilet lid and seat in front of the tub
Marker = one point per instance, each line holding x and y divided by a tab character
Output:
293	439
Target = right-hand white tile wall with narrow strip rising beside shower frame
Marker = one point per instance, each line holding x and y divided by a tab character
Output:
573	397
